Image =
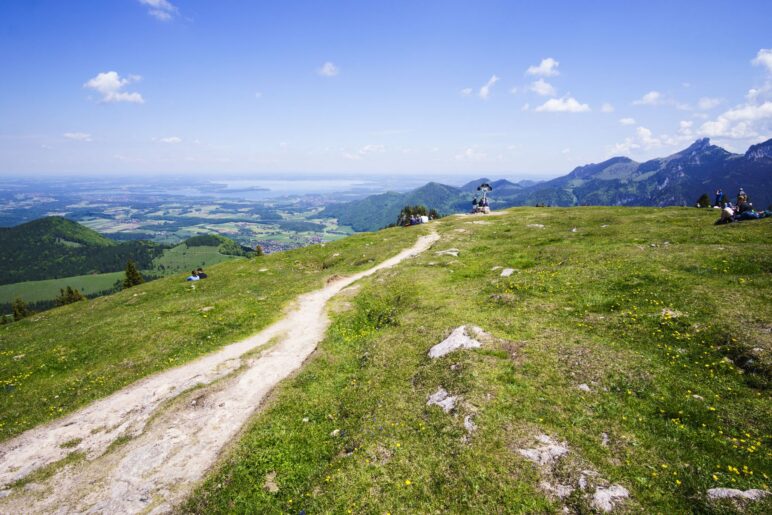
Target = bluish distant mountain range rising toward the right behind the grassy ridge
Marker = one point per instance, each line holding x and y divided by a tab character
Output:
676	180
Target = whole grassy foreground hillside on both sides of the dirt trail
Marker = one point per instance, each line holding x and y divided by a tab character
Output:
628	347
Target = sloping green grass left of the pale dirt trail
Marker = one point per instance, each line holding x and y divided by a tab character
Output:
58	360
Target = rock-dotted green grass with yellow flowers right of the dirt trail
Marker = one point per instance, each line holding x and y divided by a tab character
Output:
644	305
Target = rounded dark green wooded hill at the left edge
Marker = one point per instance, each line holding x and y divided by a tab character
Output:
54	247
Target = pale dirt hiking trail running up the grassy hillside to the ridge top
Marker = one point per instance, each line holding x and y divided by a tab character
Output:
145	447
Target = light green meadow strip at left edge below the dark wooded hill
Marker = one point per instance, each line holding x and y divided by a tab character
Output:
34	291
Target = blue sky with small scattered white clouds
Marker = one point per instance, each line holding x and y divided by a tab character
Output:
513	89
